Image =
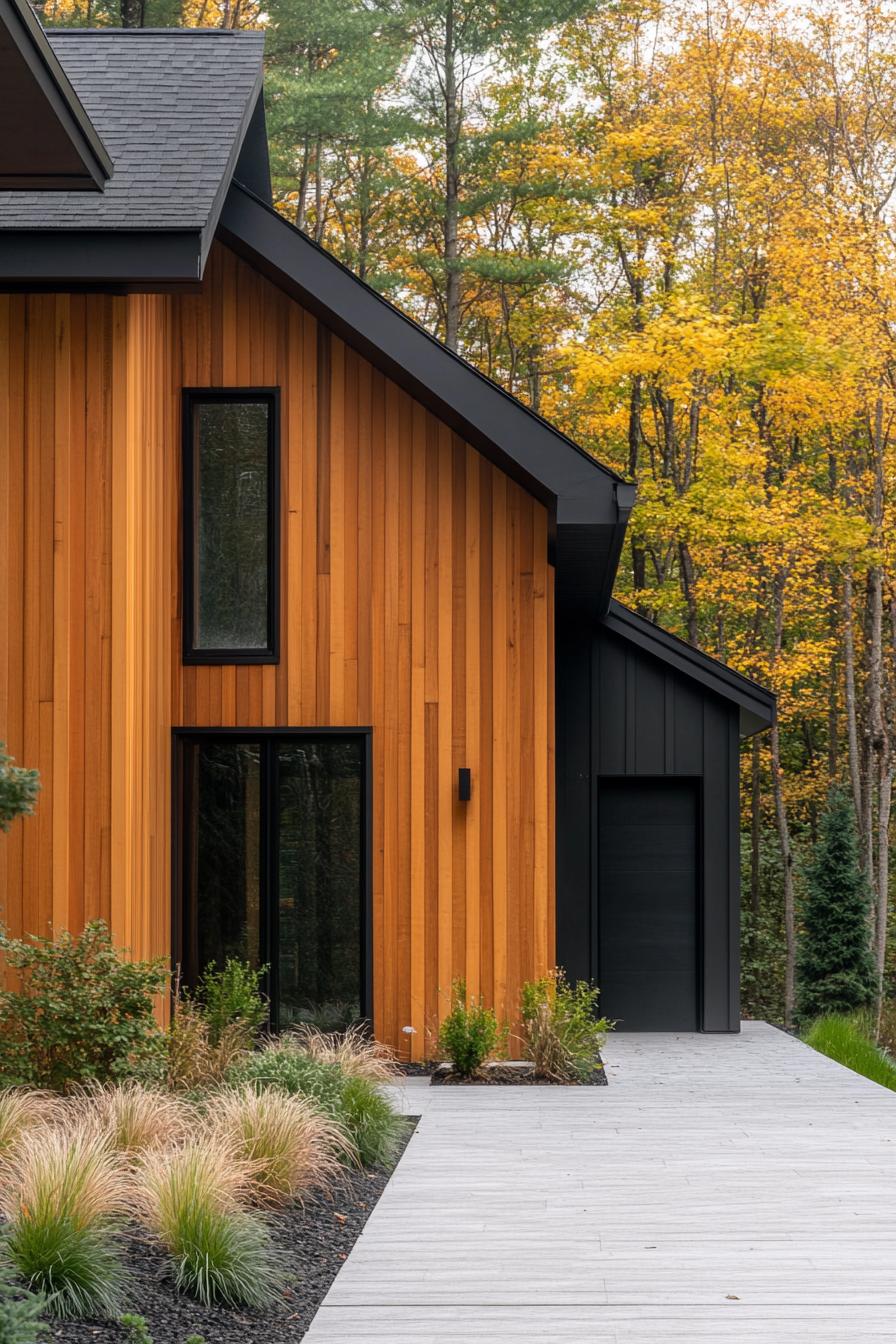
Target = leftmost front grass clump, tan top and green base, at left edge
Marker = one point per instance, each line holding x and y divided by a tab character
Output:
62	1195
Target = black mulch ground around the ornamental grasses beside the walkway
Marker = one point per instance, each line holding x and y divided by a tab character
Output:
316	1241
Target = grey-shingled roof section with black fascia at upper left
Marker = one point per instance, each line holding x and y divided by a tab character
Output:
173	108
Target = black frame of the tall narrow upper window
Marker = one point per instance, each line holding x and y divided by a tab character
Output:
194	397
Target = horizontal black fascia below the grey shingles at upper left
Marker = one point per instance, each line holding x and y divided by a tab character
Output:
100	259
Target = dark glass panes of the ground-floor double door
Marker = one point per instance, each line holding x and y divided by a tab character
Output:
272	868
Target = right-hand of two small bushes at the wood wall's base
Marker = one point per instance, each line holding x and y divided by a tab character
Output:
562	1030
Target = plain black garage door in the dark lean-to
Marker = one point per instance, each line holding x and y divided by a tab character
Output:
648	900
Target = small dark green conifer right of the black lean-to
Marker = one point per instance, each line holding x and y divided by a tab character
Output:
836	972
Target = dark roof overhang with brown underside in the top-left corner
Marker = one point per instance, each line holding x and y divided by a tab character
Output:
48	143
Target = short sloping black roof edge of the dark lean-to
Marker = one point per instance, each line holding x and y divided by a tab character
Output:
757	705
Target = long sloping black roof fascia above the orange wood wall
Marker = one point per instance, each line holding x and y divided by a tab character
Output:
541	458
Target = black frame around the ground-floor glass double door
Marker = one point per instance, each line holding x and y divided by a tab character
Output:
183	736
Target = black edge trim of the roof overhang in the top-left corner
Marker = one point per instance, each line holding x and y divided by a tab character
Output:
61	103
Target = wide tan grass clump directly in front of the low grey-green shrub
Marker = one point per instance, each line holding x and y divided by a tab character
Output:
291	1146
